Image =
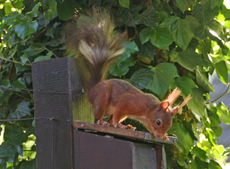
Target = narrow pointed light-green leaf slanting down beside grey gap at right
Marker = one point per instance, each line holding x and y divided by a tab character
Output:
203	81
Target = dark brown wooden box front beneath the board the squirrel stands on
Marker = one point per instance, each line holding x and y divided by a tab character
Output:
95	151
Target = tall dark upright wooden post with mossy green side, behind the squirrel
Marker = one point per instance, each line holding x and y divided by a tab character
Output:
58	99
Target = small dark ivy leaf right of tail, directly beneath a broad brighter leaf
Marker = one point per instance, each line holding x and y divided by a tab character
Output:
145	50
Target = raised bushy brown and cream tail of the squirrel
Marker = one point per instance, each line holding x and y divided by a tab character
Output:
96	42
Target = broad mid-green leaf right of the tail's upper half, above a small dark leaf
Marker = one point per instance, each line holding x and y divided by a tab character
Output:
158	36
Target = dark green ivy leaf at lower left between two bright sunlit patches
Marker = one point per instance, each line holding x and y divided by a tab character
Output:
14	135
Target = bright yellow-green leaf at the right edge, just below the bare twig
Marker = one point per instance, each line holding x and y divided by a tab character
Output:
223	113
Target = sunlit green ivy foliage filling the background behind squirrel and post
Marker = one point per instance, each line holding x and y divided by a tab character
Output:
172	43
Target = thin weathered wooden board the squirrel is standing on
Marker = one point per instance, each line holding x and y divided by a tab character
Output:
123	132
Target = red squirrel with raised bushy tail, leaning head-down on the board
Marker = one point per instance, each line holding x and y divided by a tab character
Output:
98	45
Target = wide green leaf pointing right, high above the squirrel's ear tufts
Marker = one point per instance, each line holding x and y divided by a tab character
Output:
188	59
